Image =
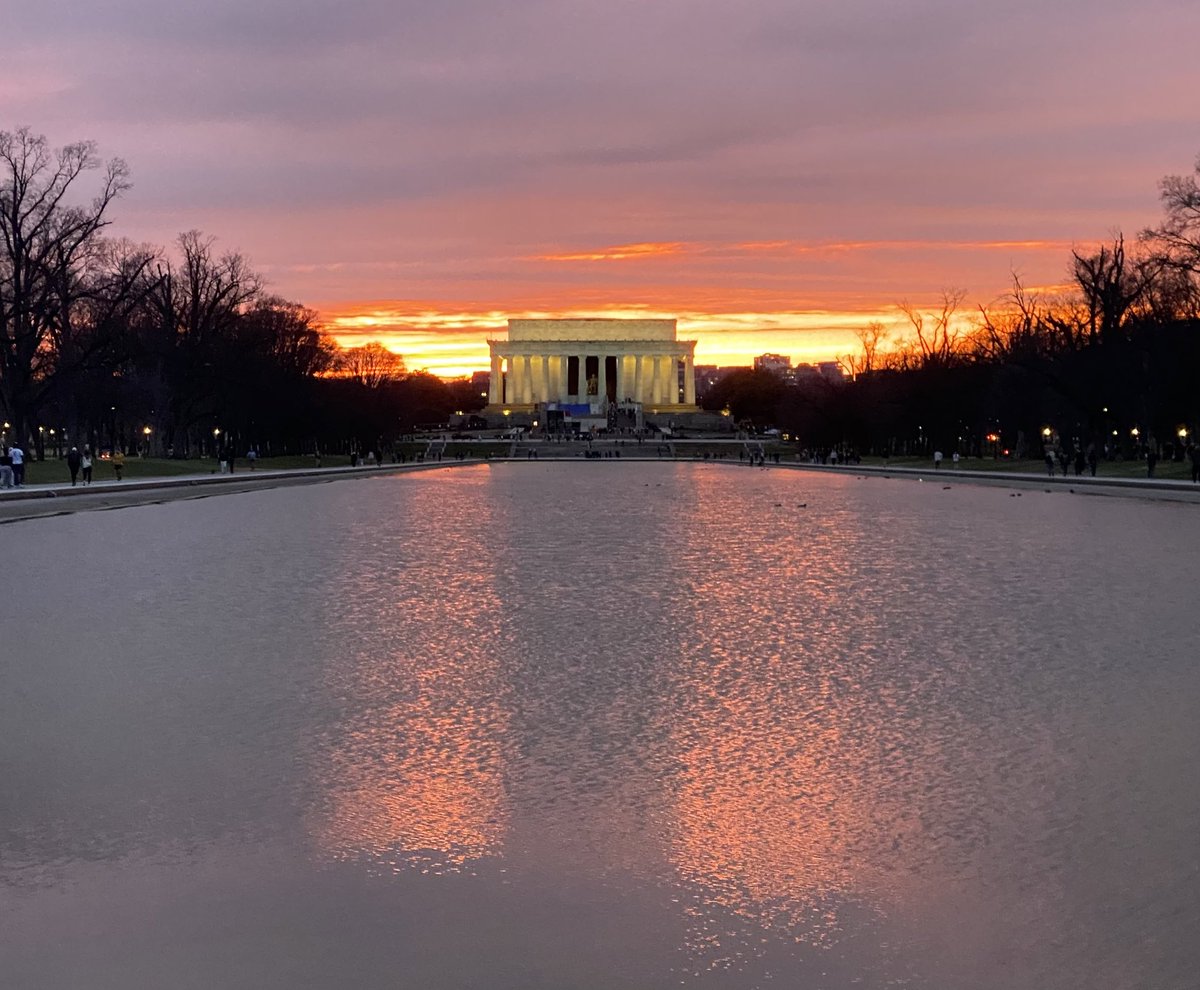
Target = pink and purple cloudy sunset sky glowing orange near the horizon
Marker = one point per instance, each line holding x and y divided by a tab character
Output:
772	173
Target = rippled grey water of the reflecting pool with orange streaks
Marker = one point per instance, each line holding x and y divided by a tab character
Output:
603	725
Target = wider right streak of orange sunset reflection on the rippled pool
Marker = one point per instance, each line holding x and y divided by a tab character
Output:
779	805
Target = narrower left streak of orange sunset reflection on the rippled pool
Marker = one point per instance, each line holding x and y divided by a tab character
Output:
415	772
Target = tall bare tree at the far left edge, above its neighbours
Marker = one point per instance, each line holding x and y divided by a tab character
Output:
46	242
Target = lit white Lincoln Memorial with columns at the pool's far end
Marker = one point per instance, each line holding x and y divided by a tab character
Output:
592	363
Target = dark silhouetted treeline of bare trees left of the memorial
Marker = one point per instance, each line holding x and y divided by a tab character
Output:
182	351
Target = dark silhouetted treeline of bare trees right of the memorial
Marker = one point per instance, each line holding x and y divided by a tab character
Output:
1114	362
